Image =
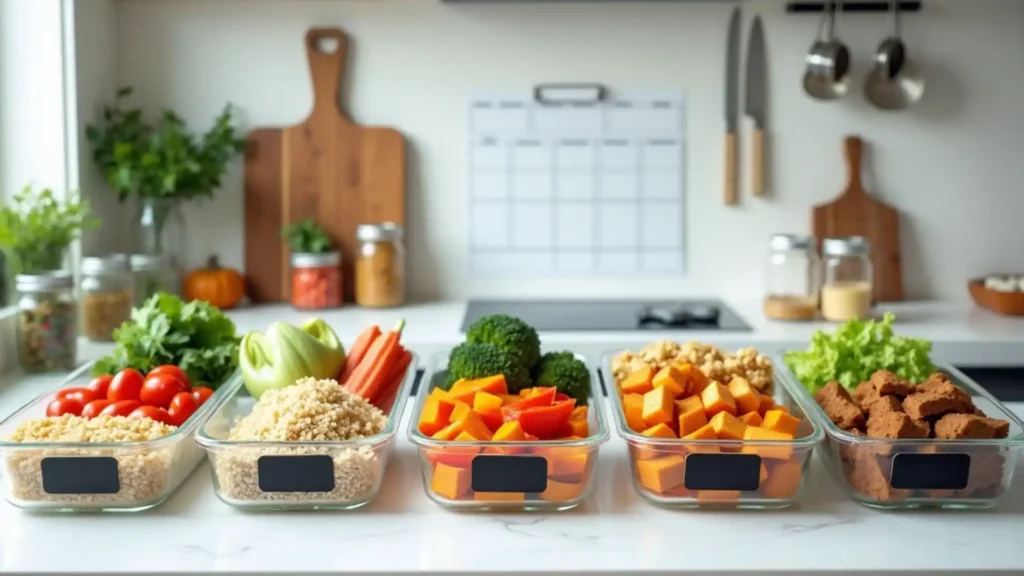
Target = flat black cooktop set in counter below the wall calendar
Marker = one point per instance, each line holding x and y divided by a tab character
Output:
585	316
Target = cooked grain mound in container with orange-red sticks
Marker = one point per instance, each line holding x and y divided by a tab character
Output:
310	412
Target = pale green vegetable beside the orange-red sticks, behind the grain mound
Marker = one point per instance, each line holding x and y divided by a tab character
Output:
285	354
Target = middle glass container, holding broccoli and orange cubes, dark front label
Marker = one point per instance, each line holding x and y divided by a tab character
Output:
508	476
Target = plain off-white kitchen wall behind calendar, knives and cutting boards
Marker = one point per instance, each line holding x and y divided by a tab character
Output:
954	166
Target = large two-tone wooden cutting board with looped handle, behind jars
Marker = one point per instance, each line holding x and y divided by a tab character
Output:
327	169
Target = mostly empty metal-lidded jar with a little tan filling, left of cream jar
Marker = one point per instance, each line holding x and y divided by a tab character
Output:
793	278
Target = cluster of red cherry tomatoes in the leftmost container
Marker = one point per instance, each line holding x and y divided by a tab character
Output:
165	395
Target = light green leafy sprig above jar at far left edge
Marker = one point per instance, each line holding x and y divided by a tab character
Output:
36	230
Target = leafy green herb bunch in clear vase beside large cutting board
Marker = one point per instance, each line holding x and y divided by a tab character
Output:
163	166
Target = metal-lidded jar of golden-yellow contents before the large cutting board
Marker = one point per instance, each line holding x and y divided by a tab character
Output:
380	267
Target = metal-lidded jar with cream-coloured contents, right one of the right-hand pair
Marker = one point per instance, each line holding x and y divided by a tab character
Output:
846	294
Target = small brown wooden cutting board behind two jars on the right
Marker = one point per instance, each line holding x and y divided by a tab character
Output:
857	214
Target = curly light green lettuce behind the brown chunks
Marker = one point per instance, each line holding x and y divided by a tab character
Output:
856	351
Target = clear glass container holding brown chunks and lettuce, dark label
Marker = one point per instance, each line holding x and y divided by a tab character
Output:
922	473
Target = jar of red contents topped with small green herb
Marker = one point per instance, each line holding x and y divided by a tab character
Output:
316	267
